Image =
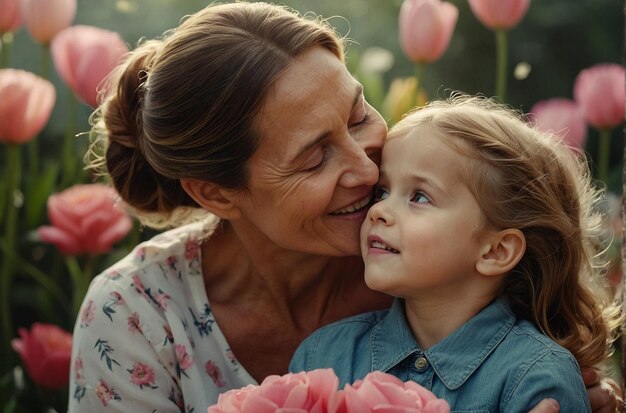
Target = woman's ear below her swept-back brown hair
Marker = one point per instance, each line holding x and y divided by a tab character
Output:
212	197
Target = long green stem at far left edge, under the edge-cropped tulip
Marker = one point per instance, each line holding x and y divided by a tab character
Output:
13	175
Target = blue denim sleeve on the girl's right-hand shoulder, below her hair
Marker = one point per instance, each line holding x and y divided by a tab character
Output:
556	375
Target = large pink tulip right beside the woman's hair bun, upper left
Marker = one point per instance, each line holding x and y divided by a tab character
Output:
84	56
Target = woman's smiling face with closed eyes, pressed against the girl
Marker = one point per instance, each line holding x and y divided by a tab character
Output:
311	179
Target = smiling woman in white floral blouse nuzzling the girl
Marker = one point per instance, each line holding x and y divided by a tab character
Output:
248	112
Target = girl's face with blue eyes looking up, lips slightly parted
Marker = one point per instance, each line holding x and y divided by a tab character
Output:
422	234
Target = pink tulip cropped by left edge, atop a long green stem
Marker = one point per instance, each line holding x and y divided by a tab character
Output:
26	102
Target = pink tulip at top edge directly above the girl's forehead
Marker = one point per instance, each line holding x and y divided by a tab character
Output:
426	27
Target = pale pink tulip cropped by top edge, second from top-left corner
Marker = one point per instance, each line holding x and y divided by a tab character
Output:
45	18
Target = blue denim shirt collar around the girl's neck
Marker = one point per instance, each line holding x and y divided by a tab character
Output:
453	359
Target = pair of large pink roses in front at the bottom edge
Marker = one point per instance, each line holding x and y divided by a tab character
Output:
317	391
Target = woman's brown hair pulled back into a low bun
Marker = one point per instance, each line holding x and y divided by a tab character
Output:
183	106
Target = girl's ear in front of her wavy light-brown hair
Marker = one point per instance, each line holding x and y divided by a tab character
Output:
501	253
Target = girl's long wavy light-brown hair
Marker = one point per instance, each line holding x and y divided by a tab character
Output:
527	179
